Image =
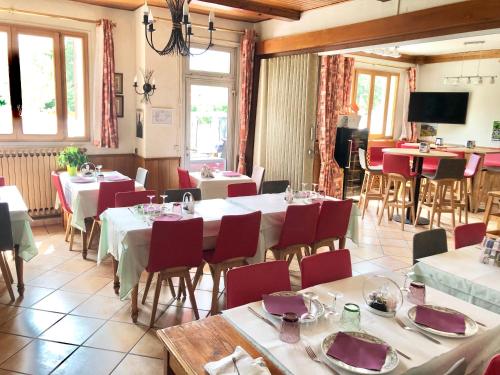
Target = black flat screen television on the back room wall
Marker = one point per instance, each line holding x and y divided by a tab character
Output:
438	107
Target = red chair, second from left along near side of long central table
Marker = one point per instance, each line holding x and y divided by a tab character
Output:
237	240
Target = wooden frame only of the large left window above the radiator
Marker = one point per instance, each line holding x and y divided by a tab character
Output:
13	30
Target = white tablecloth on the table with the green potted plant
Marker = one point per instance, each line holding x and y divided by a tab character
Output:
82	197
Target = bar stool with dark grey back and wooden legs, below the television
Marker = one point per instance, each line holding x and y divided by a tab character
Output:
449	173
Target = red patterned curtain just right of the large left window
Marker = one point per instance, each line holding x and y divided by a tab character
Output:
108	137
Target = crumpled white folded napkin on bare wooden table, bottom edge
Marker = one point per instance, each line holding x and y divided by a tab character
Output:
246	365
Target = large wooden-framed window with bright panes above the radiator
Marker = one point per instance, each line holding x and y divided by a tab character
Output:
43	85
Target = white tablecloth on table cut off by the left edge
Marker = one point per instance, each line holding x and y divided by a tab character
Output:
20	221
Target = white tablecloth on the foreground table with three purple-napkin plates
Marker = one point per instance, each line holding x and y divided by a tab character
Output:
426	357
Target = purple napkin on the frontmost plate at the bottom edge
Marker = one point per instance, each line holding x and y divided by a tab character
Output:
358	353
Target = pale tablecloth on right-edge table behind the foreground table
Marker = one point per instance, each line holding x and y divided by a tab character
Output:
460	274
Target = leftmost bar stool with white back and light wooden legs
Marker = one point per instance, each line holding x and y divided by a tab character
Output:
371	175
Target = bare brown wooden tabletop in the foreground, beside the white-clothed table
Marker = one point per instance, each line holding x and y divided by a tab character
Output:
188	347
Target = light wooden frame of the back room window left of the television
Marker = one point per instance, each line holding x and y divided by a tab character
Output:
381	73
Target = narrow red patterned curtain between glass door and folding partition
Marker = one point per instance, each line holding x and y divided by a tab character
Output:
247	55
